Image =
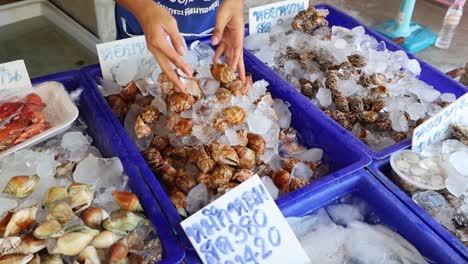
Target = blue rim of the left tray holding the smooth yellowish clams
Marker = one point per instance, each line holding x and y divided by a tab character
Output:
110	145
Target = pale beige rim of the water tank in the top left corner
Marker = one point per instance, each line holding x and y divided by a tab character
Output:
18	11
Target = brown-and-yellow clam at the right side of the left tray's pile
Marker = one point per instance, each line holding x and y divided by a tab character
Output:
121	222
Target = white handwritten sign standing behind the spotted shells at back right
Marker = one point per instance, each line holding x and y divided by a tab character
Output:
263	18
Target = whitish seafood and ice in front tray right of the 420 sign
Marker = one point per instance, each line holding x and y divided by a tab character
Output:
337	234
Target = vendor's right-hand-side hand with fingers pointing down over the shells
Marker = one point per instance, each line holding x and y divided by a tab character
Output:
229	35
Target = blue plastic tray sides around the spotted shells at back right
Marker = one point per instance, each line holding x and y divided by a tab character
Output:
429	74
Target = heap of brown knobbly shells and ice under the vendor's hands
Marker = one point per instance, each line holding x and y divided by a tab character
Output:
220	131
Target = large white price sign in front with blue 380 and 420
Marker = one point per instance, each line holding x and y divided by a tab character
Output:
244	226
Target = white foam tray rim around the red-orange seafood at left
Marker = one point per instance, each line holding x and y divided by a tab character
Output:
60	112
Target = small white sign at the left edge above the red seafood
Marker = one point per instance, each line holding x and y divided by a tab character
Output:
14	75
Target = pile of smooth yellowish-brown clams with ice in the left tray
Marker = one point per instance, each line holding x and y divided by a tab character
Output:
61	202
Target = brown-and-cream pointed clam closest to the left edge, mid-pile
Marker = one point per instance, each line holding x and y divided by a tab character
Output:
20	221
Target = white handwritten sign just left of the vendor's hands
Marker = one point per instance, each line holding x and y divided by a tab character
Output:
121	53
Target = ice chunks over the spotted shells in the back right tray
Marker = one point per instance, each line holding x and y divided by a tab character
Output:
419	100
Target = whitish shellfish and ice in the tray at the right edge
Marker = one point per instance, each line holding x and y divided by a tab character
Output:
436	178
